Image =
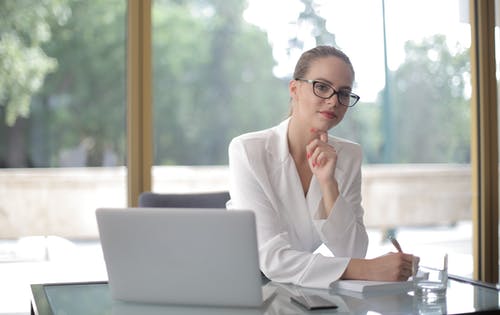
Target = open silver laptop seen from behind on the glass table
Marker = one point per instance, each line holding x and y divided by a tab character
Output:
181	256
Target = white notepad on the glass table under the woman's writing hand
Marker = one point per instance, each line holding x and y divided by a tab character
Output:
372	286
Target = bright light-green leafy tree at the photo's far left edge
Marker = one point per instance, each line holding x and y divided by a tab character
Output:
24	27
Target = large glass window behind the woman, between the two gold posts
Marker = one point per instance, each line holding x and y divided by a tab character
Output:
229	73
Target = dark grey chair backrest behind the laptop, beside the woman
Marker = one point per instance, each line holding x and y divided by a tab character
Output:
190	200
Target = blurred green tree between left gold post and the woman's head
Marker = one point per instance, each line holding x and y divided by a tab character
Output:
213	80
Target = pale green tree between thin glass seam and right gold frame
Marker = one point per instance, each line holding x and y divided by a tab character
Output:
431	112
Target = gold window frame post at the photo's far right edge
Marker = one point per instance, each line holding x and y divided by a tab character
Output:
484	141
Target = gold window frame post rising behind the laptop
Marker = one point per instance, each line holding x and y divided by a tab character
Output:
139	100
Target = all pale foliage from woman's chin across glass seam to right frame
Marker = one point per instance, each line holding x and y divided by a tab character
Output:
429	108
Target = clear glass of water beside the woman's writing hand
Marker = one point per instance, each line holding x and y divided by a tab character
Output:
430	277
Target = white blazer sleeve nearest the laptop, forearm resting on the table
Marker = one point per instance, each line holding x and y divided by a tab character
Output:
279	261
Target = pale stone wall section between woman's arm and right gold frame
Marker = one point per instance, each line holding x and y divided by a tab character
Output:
416	195
